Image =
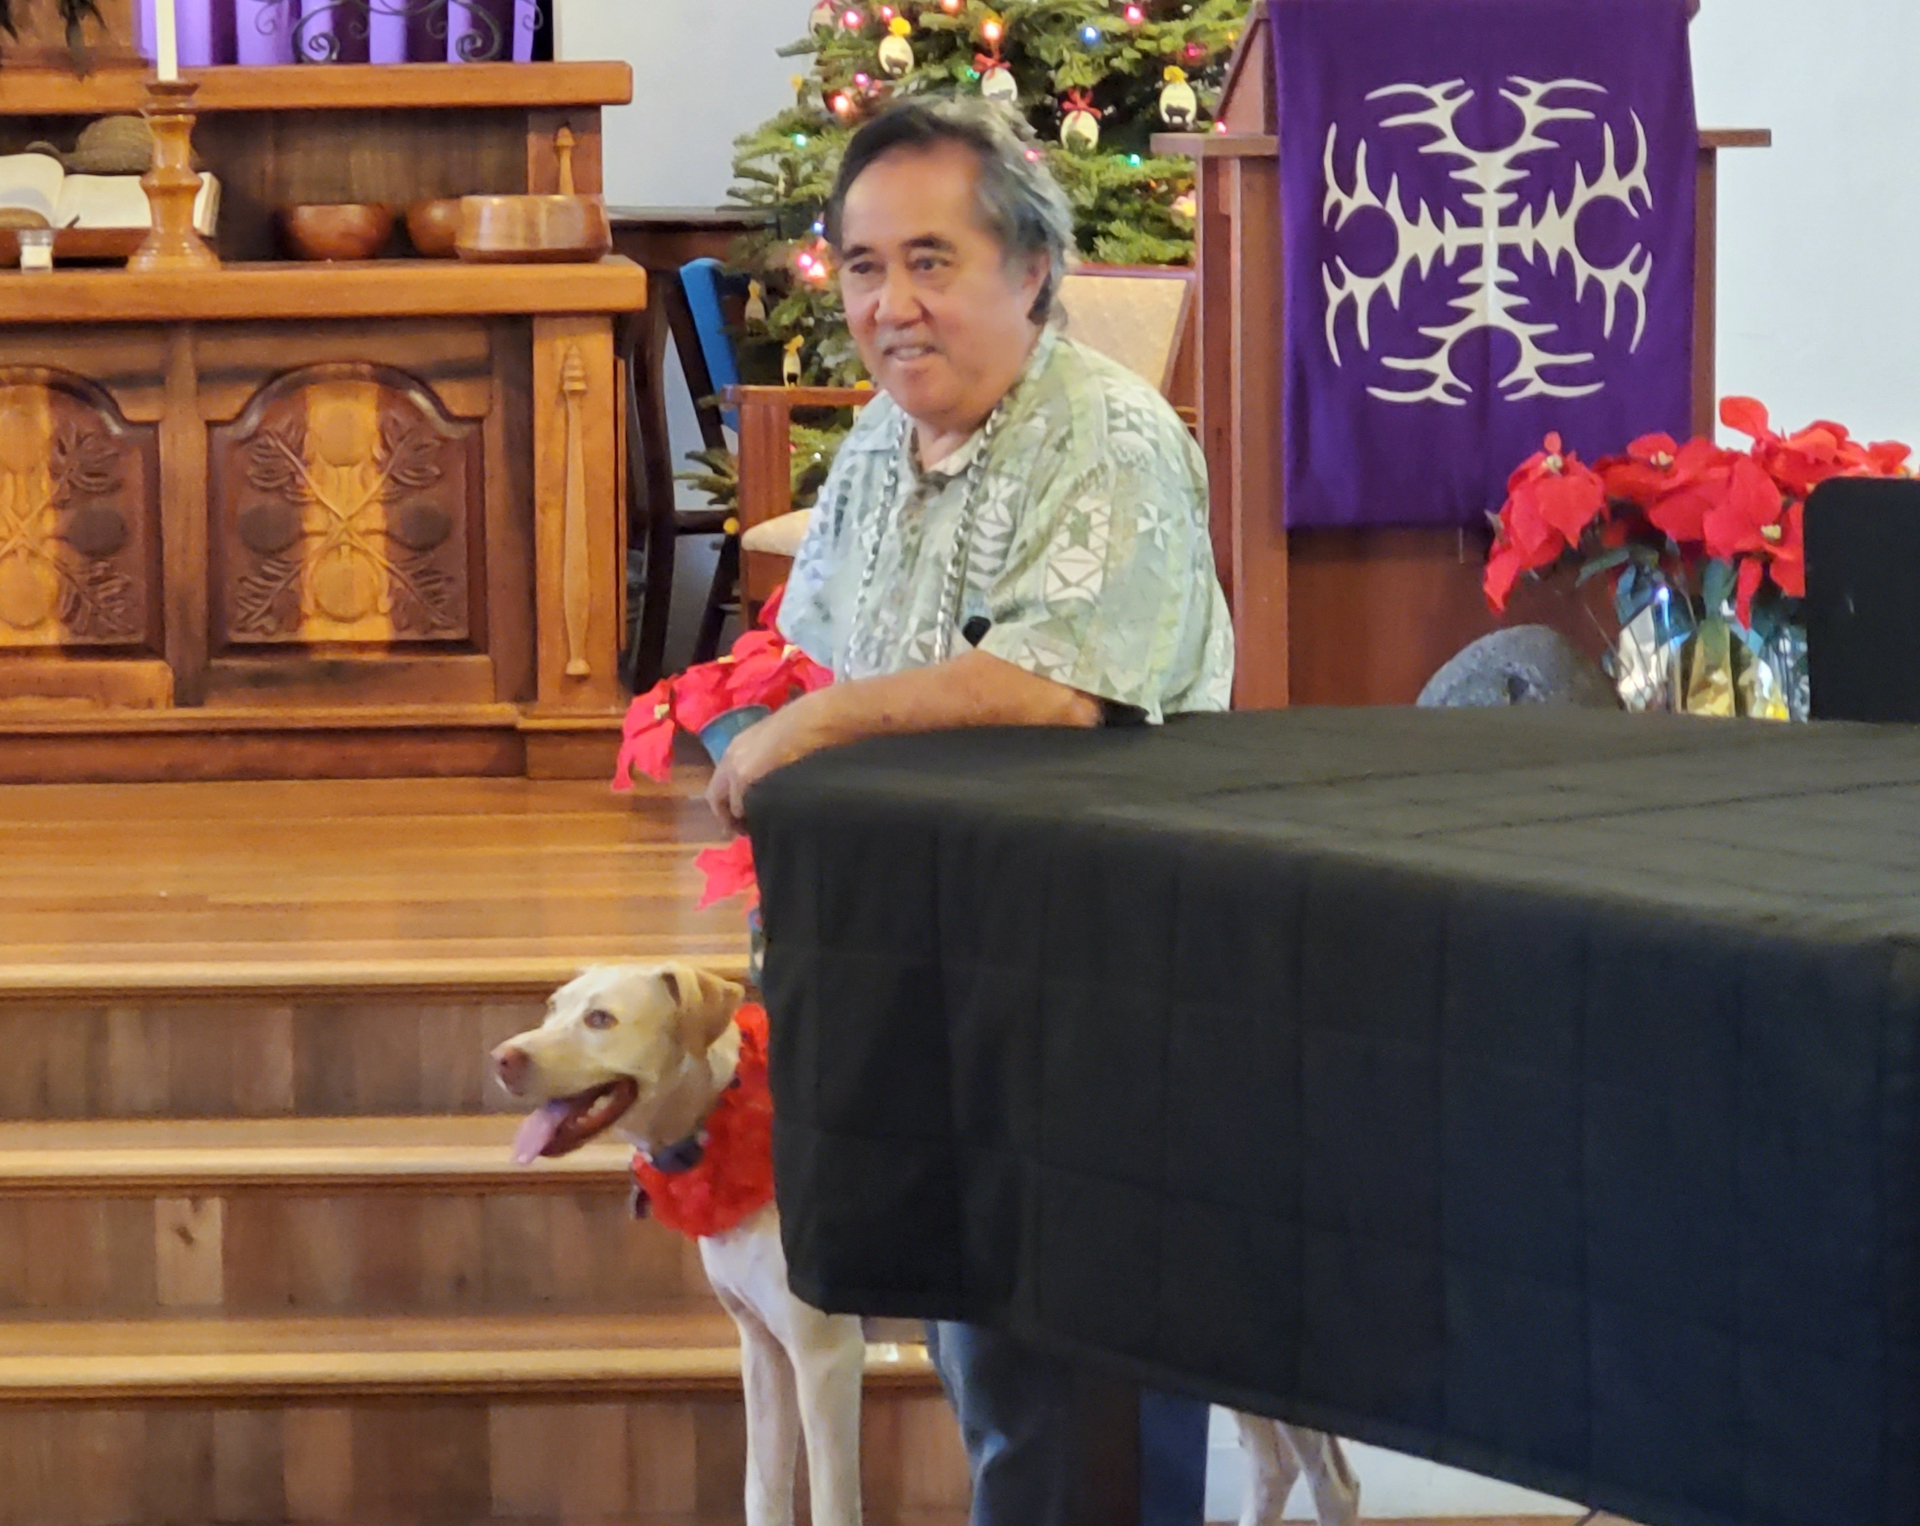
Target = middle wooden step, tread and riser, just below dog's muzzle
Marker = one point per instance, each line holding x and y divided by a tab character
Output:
324	1216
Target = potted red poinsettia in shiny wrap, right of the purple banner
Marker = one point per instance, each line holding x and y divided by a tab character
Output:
1704	548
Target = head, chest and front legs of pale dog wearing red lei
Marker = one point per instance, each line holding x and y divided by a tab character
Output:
673	1057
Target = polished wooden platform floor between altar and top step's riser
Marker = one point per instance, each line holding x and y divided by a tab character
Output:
370	884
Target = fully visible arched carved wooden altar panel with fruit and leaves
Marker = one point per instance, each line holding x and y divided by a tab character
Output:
343	502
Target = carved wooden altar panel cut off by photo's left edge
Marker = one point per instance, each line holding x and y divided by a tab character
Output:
78	517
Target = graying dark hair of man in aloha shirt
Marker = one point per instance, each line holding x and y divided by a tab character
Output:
1020	203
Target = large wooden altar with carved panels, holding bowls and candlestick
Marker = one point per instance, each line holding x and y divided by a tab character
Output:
300	521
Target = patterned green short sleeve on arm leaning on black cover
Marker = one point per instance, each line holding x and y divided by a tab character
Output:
1107	586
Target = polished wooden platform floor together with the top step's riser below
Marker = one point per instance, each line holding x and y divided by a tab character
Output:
318	947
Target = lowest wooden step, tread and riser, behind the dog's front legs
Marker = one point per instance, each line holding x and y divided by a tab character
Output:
258	1423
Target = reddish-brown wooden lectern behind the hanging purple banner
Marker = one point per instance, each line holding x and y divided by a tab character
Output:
1339	617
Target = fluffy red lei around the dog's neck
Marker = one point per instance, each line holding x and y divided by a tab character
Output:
734	1178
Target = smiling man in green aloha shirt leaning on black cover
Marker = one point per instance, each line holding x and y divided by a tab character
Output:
1015	535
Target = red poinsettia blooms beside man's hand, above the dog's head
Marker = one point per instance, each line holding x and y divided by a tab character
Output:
717	702
